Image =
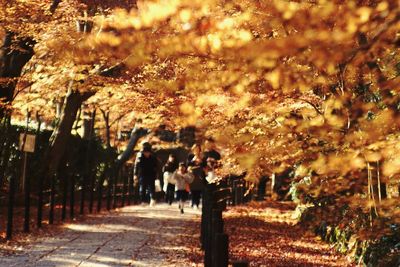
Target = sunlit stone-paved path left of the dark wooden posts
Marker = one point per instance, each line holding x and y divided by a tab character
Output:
131	236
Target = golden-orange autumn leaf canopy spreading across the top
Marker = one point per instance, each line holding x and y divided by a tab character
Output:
313	84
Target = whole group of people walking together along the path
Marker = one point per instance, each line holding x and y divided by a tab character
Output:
179	178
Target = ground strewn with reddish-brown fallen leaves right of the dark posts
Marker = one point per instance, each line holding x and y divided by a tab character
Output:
267	234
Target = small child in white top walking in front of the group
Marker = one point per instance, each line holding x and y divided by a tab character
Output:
182	177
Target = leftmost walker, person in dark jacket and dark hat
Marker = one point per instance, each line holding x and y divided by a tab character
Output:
145	171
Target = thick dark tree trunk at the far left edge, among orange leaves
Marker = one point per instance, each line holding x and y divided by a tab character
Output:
14	54
